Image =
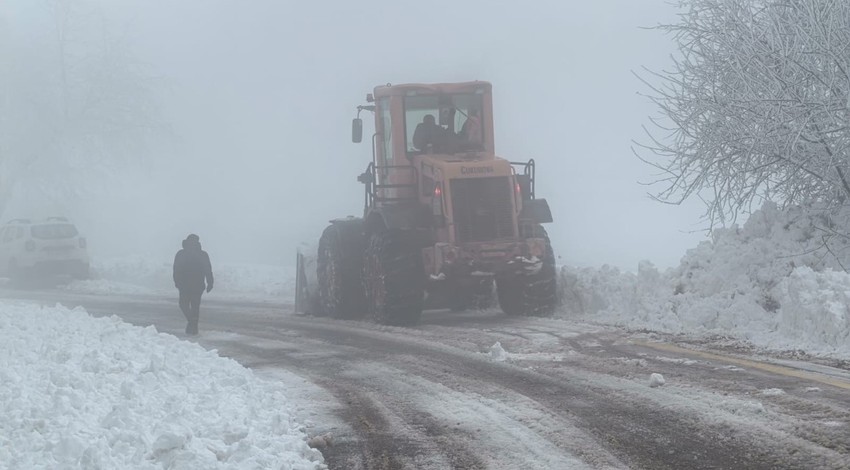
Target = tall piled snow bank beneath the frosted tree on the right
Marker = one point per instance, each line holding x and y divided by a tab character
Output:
771	282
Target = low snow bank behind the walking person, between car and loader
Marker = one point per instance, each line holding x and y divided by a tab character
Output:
144	275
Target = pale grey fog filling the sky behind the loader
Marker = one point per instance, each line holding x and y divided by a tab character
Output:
256	100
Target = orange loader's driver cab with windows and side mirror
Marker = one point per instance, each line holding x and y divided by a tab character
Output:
460	116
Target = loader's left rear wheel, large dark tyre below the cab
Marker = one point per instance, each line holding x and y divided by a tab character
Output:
394	278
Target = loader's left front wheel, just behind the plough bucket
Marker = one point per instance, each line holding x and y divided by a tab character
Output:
338	268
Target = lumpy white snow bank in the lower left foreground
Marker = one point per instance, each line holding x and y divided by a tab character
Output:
84	392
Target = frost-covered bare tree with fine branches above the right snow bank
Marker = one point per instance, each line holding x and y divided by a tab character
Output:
755	107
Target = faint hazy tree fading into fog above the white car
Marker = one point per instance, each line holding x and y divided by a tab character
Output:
76	102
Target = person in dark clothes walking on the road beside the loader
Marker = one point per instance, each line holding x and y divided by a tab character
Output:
192	275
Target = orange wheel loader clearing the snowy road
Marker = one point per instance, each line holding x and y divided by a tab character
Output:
446	221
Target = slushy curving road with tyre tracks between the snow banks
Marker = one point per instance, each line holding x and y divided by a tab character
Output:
480	390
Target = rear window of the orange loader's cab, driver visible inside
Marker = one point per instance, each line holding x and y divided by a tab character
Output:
443	123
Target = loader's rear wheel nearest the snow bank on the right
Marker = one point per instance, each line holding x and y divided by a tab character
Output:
535	294
